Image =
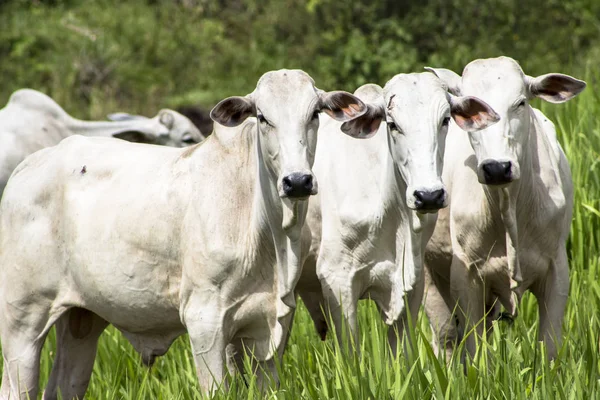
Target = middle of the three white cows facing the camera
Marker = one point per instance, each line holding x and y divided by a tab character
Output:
377	205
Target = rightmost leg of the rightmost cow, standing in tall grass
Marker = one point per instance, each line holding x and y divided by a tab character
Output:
552	301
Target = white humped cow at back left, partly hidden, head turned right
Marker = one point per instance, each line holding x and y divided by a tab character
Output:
31	121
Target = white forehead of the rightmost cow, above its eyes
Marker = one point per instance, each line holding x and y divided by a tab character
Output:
494	78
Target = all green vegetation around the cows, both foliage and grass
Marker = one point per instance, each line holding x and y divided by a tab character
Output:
139	55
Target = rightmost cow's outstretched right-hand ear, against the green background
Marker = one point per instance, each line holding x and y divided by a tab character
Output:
555	88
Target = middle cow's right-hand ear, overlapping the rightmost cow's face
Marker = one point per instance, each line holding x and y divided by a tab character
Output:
472	114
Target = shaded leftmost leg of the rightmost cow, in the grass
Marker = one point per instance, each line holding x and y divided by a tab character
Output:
441	317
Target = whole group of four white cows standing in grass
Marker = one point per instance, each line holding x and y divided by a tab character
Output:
437	189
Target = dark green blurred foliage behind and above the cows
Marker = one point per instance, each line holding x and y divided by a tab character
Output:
139	55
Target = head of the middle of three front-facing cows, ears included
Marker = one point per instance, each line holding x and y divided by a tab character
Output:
418	109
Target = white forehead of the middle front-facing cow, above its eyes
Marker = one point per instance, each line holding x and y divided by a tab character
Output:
415	91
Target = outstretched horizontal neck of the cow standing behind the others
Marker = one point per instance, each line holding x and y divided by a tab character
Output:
109	128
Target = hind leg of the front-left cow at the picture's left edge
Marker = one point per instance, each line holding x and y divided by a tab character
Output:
21	350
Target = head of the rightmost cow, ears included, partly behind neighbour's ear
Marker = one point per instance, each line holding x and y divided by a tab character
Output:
502	84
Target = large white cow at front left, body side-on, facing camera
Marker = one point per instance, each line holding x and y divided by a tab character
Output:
158	241
